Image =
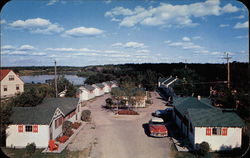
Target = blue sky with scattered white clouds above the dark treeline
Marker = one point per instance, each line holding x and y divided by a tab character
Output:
95	32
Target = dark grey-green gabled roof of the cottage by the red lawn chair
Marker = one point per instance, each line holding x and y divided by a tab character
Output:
43	113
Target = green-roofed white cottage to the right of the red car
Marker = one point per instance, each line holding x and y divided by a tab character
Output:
199	121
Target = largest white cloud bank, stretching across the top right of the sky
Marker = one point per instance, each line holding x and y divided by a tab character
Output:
168	14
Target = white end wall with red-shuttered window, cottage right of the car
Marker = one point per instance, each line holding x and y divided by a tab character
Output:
233	138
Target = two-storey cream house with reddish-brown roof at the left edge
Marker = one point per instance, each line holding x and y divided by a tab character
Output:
11	84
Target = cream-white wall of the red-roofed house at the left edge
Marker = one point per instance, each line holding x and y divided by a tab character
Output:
11	85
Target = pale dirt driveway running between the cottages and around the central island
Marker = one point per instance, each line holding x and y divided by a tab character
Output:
124	136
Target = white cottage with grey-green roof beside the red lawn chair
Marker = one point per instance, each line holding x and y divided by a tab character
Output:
41	123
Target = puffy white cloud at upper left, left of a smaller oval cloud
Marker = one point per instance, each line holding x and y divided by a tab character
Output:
37	25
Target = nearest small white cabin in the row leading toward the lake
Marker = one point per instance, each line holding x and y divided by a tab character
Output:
85	92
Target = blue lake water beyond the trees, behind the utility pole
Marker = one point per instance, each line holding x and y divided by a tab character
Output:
42	78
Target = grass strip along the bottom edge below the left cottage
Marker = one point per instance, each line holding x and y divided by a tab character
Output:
21	153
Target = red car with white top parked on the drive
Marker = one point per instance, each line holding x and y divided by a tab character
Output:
157	127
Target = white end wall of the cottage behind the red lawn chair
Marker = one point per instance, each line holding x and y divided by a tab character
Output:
20	140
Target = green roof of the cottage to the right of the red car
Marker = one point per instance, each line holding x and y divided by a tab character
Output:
202	114
